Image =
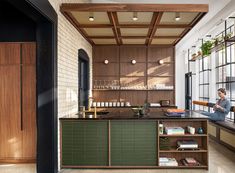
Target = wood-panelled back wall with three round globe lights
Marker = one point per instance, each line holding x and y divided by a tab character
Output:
146	71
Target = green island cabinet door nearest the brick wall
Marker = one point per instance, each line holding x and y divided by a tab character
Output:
85	143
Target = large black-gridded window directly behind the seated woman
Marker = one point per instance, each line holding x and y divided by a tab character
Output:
225	70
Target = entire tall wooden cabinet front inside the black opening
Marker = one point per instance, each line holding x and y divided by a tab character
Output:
17	102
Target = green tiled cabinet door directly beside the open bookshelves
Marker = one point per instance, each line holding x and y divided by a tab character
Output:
133	143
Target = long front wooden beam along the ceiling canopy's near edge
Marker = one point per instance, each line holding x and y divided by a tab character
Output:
111	7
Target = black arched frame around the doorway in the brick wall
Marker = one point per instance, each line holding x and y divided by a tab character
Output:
83	56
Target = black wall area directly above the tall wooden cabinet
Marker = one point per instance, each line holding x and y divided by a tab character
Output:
15	26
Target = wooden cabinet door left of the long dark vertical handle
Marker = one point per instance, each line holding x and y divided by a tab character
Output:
10	119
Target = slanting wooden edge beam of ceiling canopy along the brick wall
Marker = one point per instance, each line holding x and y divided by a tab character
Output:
74	22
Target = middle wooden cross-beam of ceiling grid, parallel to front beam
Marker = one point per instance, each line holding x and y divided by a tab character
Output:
133	26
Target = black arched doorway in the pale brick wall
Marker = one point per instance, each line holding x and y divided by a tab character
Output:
83	78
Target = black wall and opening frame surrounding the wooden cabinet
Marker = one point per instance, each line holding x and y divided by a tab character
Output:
40	24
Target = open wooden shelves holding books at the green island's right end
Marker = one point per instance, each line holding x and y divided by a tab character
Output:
201	155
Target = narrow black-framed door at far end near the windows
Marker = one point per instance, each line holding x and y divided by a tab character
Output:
188	91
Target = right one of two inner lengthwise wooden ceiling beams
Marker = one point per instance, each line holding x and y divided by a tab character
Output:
155	21
